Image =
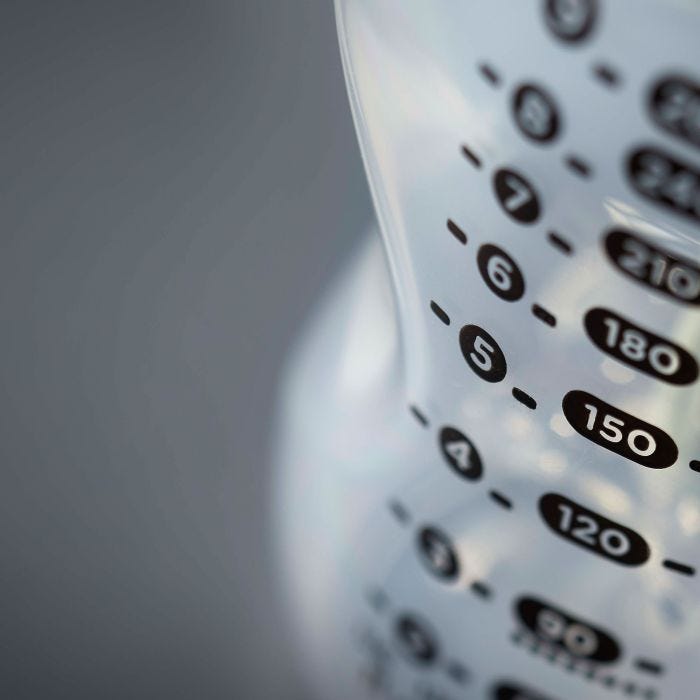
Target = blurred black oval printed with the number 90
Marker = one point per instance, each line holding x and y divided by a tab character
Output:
565	631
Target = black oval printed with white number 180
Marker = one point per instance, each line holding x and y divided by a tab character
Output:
639	348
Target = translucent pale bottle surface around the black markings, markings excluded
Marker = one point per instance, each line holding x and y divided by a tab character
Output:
348	444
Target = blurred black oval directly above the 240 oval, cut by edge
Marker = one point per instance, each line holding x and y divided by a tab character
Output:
674	105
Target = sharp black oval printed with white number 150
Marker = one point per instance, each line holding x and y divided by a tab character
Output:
619	432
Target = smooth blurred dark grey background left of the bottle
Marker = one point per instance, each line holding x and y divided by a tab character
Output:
179	182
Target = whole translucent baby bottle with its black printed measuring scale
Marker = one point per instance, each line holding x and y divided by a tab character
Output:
489	440
